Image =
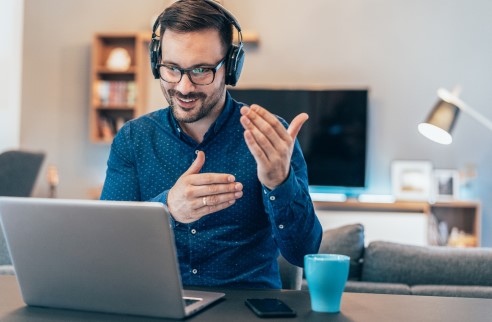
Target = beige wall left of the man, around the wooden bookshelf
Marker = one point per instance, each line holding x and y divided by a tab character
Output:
56	84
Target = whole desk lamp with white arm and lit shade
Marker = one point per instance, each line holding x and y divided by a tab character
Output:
441	120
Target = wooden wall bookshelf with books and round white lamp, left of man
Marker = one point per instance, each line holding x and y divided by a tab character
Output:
118	76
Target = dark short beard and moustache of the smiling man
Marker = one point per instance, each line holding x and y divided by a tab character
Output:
206	104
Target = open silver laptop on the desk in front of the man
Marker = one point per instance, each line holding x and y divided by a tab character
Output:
105	256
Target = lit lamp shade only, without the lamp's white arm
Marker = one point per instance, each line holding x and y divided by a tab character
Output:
440	122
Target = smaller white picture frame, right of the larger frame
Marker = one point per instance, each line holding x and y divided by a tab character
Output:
446	184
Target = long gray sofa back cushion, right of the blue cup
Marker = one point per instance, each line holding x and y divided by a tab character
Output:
415	265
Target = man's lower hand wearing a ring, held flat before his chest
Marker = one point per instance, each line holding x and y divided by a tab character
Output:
196	194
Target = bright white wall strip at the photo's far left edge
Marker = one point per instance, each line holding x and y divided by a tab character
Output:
11	23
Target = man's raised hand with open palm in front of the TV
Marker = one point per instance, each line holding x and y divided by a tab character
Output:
270	143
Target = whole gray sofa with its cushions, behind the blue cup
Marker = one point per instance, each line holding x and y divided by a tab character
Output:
391	268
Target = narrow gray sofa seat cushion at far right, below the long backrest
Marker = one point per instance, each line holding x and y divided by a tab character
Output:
453	290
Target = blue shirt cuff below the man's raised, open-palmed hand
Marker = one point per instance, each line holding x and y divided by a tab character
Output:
282	195
